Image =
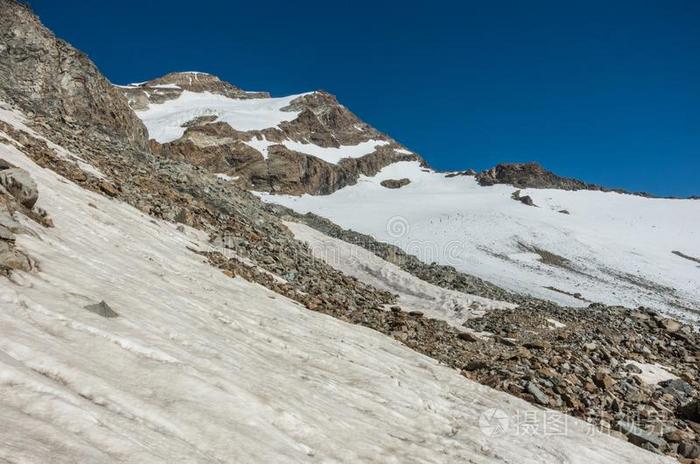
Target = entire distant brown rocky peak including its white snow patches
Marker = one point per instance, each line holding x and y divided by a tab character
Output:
308	143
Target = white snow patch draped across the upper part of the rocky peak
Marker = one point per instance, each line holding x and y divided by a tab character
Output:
164	120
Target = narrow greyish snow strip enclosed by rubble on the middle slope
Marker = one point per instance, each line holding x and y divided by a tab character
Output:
414	294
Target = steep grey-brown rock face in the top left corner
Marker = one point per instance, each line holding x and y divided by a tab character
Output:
58	85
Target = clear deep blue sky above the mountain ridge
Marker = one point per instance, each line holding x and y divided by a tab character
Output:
607	91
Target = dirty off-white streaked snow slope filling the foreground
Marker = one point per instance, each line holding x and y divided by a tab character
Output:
199	367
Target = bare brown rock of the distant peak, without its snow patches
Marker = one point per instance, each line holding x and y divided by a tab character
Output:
219	148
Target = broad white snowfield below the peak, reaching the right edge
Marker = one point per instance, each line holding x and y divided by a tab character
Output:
618	247
